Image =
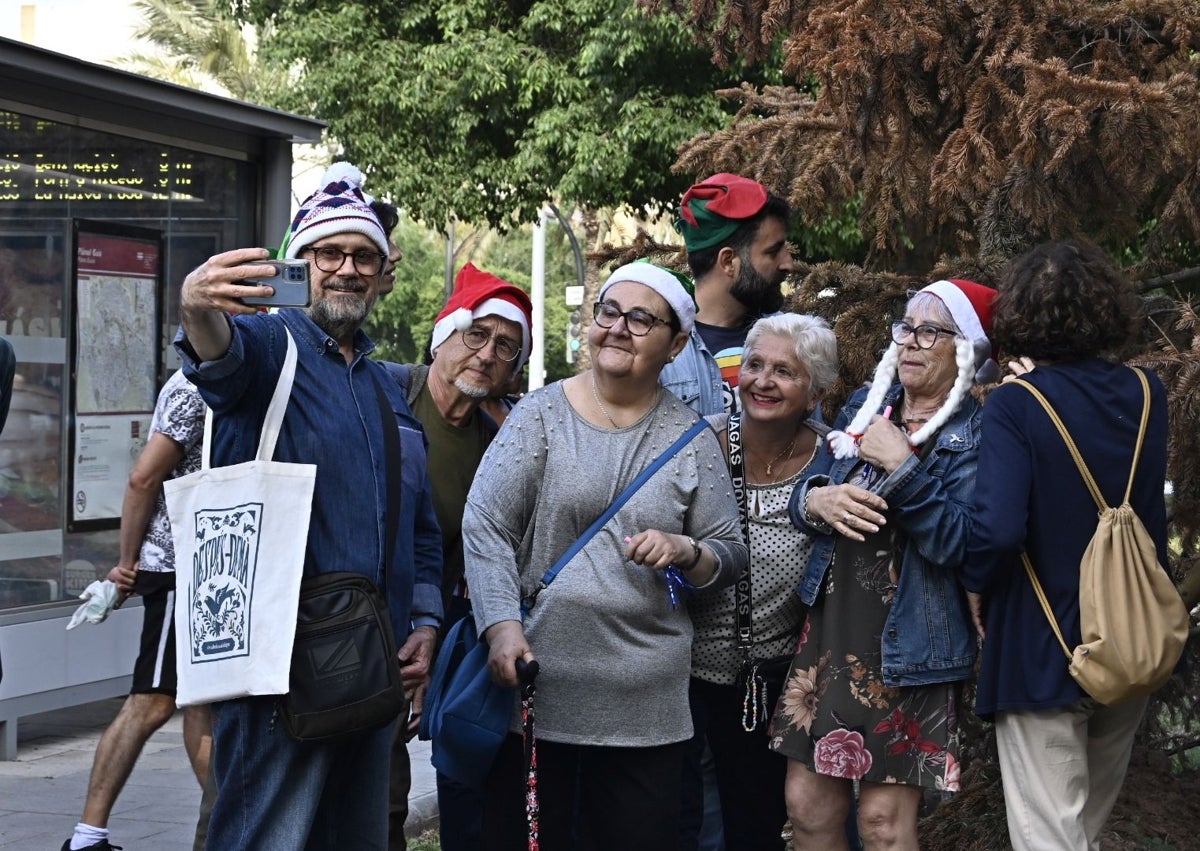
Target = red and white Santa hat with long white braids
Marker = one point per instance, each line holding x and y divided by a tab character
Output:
970	307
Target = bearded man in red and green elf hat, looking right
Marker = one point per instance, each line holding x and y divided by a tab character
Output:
736	232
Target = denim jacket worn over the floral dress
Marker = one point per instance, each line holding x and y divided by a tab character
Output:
928	637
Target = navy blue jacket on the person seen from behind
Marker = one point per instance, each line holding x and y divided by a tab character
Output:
1031	498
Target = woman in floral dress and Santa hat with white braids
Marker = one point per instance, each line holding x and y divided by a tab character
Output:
873	694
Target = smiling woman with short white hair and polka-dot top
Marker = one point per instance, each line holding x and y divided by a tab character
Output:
741	654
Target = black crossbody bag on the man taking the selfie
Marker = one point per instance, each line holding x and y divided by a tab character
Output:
345	672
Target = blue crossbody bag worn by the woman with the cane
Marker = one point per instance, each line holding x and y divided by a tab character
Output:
466	715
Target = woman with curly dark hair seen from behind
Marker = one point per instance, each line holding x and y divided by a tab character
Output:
1066	310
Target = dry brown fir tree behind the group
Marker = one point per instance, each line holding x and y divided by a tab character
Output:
968	133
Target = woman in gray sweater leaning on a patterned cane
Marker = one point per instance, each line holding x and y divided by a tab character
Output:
614	644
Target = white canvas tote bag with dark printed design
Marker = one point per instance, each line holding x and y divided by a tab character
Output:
241	535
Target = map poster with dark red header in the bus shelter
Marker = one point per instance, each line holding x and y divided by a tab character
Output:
116	364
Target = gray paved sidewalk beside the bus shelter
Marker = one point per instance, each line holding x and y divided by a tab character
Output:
43	790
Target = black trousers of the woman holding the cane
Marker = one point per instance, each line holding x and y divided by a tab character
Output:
592	799
